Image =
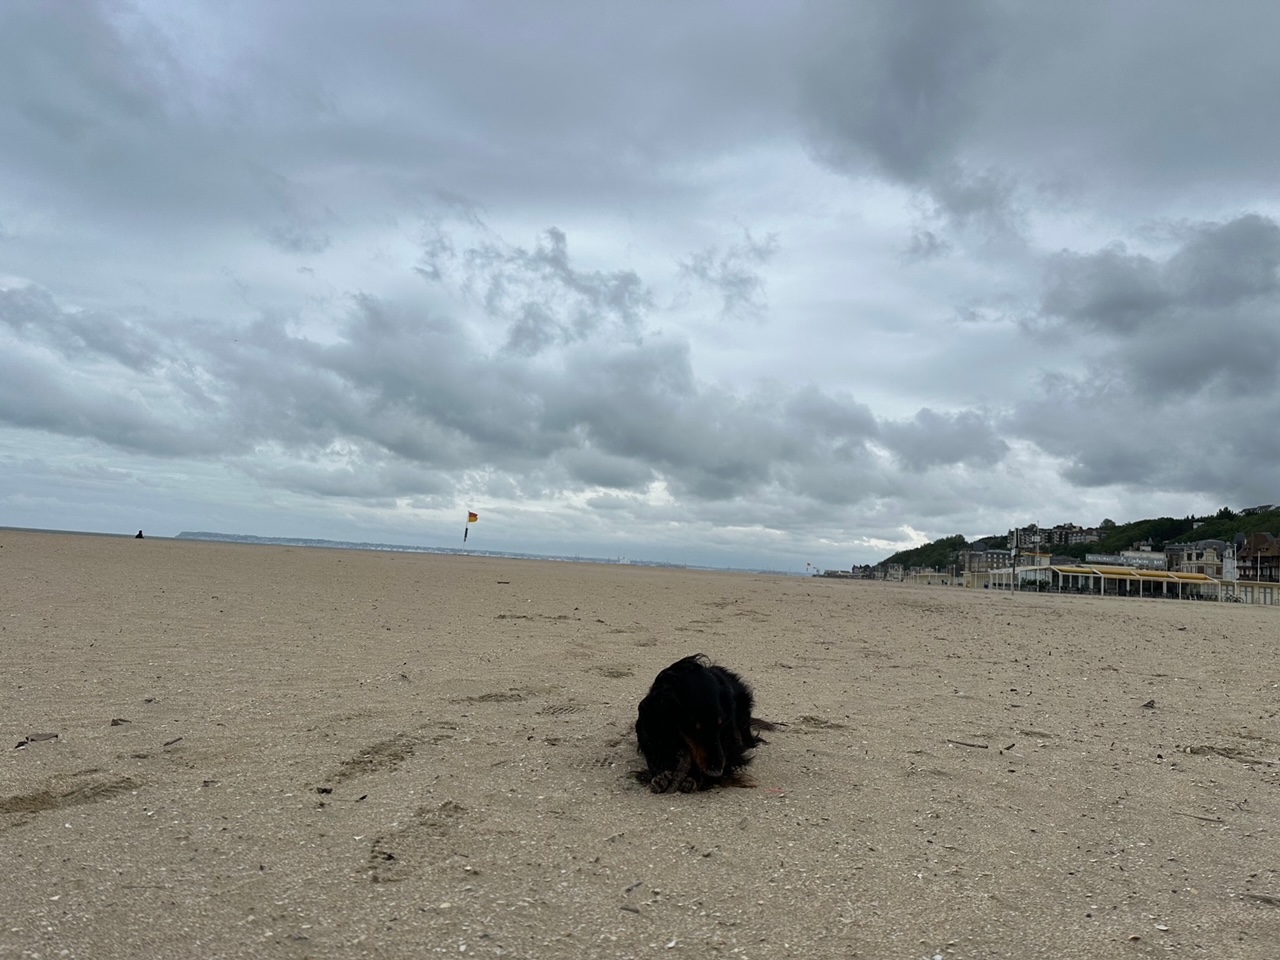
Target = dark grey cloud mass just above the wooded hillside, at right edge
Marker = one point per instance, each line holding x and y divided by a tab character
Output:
1185	363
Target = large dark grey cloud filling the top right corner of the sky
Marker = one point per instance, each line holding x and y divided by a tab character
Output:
989	109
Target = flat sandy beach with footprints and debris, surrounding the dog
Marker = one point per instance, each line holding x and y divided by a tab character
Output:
309	753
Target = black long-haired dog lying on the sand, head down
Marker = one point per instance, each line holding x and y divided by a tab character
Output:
696	726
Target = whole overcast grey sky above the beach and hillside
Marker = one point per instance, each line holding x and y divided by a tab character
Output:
732	284
